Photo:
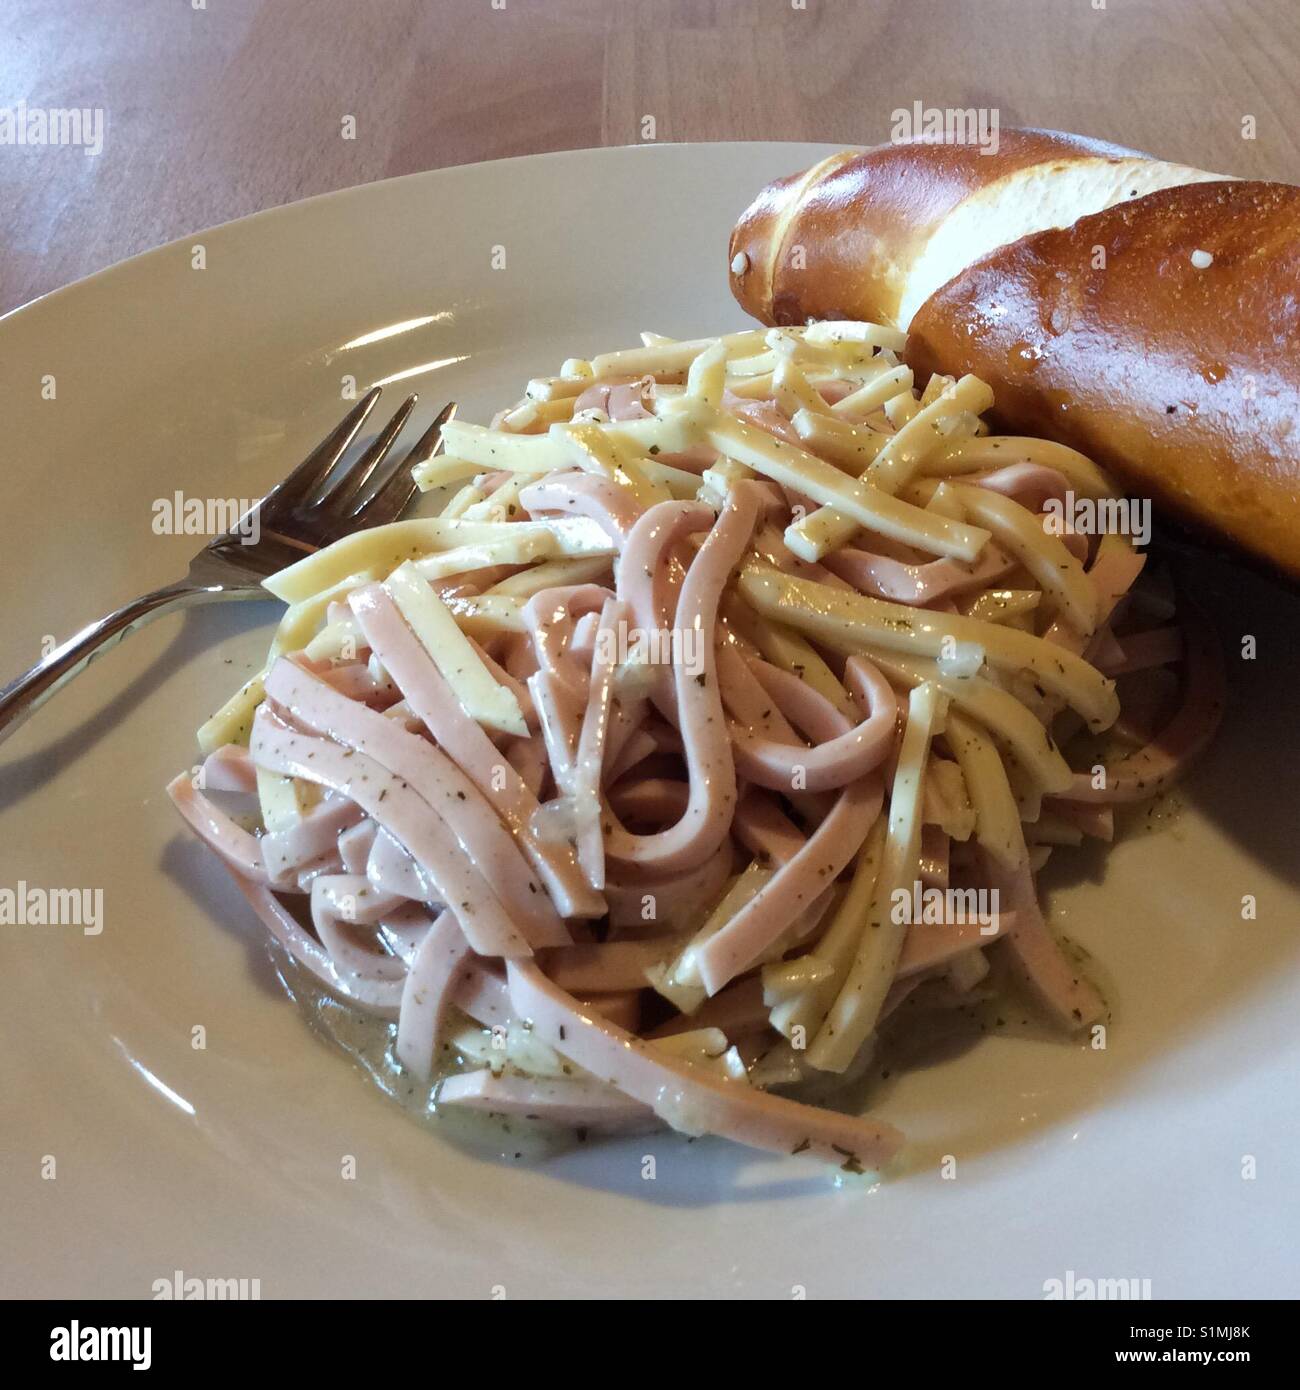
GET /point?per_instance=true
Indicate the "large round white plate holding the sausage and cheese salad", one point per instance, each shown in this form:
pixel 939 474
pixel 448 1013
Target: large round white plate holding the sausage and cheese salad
pixel 226 1163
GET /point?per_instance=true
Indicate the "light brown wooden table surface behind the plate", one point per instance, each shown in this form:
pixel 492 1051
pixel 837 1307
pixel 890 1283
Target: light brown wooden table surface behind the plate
pixel 215 109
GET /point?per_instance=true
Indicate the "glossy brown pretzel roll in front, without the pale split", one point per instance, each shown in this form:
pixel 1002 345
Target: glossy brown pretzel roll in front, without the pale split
pixel 1163 340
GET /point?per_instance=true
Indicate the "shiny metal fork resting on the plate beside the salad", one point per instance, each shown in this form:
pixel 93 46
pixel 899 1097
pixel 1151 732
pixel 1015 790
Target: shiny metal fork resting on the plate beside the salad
pixel 298 516
